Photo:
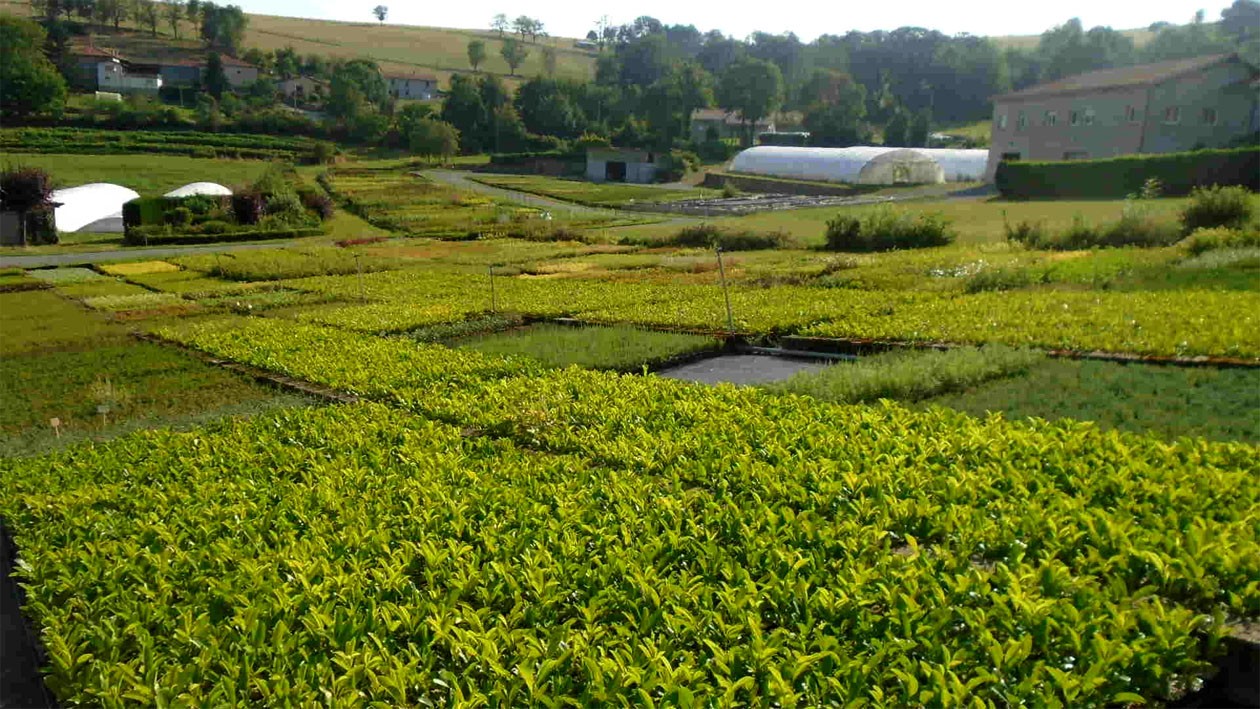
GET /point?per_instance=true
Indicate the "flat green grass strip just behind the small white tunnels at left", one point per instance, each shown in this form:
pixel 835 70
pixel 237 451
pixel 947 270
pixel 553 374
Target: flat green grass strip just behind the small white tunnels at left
pixel 147 174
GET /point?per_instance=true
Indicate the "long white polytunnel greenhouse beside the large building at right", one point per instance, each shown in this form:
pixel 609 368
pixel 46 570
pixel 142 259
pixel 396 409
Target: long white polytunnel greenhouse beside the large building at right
pixel 864 166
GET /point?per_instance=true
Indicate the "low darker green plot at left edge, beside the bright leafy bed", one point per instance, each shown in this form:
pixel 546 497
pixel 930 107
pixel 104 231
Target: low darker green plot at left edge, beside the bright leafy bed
pixel 60 361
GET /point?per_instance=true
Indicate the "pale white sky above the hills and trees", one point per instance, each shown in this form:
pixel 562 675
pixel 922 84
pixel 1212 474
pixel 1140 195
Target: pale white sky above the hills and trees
pixel 740 18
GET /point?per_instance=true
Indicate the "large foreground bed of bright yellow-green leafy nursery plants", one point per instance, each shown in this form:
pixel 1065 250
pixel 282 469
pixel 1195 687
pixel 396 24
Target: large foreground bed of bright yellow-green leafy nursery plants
pixel 502 531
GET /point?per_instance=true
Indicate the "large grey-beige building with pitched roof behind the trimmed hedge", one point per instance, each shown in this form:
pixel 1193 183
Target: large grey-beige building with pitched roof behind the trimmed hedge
pixel 1164 108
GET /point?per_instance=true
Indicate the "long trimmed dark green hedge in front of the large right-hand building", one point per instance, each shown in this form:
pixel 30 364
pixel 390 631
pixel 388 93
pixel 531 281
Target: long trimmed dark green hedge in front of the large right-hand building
pixel 1179 174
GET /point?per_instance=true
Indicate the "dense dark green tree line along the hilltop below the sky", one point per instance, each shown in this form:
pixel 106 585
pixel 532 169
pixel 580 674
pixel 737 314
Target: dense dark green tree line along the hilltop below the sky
pixel 651 77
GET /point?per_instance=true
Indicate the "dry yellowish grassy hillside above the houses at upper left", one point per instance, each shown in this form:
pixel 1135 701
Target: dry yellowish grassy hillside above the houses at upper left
pixel 398 48
